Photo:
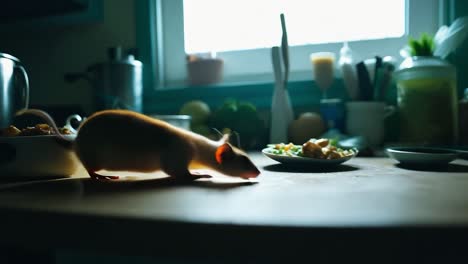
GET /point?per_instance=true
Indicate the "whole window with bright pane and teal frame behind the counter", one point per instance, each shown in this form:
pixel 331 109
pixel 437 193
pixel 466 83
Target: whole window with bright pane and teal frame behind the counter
pixel 242 31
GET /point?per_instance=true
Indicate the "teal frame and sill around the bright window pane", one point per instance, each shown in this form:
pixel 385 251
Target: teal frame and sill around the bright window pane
pixel 172 69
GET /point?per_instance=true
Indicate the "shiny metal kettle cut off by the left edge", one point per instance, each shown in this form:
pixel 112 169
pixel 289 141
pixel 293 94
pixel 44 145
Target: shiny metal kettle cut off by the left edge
pixel 14 89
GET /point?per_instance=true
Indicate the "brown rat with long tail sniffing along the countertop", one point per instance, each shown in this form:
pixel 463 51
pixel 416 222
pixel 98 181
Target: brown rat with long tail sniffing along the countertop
pixel 123 140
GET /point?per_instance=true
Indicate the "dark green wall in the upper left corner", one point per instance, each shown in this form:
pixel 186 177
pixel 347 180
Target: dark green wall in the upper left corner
pixel 49 50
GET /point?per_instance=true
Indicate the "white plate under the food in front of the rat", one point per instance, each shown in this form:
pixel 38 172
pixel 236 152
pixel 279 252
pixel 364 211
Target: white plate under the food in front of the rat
pixel 306 161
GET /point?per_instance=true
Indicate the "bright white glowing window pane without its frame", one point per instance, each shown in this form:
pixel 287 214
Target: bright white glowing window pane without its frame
pixel 227 25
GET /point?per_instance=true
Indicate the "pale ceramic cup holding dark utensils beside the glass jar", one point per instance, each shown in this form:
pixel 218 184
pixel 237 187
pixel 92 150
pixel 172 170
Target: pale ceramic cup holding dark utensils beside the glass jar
pixel 366 119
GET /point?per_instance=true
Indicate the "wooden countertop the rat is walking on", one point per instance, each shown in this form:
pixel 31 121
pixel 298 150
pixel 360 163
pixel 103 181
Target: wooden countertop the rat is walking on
pixel 286 211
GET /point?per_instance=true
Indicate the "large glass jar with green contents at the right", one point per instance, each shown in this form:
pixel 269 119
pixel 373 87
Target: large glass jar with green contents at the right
pixel 427 101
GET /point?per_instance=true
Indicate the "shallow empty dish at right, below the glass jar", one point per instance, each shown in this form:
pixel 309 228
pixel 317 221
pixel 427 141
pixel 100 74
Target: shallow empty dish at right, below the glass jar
pixel 422 155
